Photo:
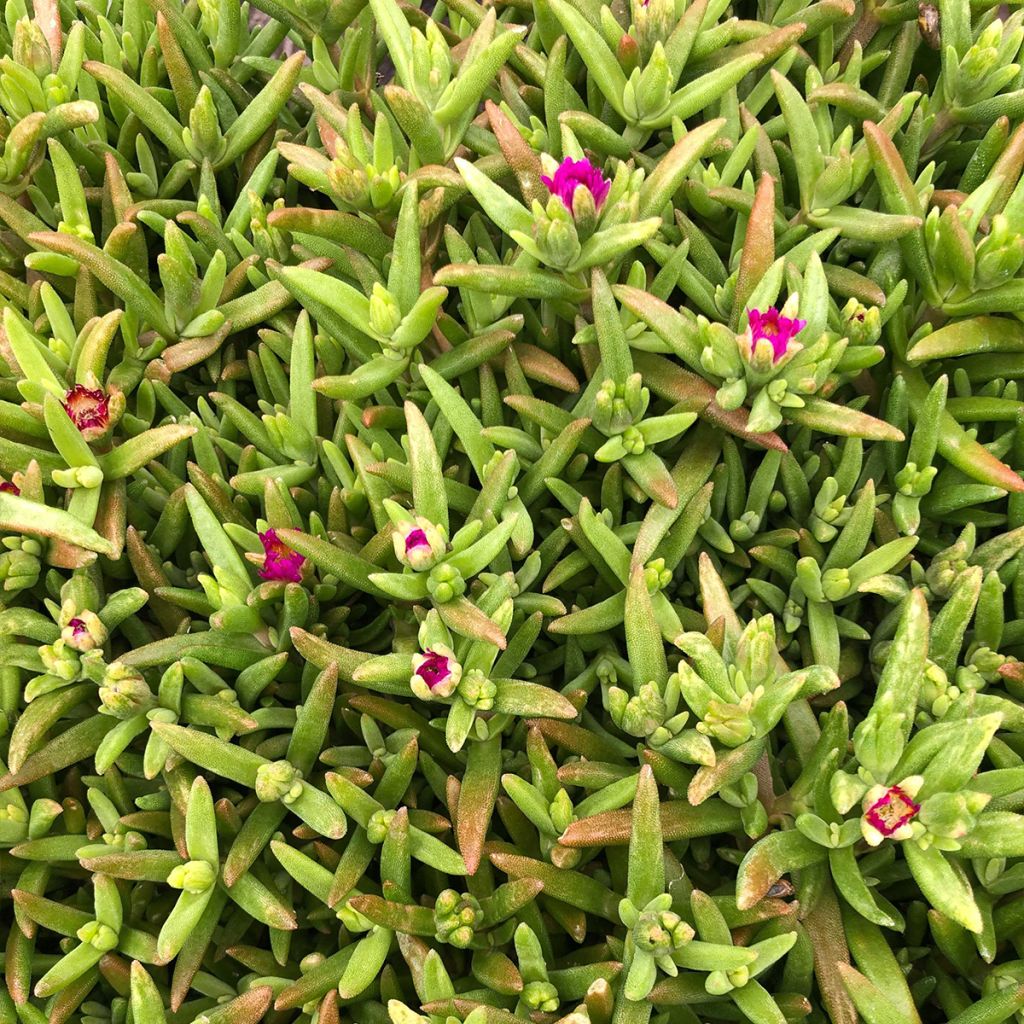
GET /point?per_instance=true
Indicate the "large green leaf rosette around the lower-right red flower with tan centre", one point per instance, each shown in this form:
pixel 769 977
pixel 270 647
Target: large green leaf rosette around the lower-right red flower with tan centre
pixel 918 790
